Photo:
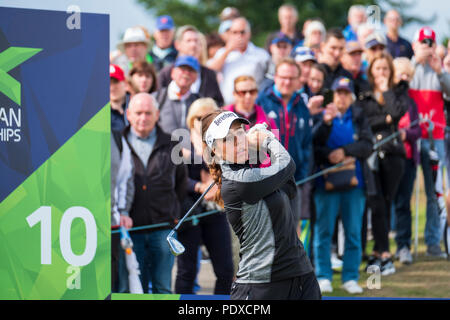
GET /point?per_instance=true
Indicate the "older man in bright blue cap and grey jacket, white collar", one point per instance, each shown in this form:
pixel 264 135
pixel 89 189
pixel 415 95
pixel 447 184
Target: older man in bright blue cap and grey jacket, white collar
pixel 175 100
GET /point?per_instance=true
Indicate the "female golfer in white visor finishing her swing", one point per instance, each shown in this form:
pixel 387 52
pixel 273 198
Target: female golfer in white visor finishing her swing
pixel 273 263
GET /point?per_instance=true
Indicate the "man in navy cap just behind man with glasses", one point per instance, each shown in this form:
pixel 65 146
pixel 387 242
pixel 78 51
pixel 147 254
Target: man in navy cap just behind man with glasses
pixel 280 47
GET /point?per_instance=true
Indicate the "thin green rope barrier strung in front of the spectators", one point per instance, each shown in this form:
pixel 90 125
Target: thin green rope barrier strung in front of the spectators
pixel 196 217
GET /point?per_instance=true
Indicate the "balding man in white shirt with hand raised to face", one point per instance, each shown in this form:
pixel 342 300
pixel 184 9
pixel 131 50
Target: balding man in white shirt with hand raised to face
pixel 239 57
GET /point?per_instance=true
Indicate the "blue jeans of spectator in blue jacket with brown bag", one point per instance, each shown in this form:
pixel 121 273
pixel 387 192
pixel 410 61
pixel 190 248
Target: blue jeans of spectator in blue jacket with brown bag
pixel 328 205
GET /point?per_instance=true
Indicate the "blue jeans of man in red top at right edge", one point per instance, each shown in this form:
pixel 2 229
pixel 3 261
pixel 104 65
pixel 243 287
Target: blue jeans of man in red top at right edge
pixel 432 233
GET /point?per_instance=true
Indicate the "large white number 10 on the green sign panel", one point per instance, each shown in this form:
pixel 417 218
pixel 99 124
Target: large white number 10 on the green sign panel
pixel 43 215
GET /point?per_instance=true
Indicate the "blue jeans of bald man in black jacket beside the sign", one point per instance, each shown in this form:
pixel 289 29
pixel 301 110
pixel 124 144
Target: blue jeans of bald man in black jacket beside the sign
pixel 155 260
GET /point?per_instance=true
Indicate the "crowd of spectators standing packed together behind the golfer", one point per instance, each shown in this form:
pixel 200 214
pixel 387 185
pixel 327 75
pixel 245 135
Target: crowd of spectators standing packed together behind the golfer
pixel 329 95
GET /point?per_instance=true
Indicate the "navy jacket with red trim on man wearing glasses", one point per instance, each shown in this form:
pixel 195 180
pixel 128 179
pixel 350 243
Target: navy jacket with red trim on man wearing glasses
pixel 297 136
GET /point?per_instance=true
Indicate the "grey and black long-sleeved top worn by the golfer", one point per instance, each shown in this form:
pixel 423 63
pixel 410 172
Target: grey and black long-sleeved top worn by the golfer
pixel 258 208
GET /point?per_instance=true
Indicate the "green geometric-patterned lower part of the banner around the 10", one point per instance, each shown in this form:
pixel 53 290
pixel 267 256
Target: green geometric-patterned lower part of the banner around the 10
pixel 76 175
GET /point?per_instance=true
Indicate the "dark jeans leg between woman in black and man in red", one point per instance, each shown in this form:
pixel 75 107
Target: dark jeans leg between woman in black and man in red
pixel 402 205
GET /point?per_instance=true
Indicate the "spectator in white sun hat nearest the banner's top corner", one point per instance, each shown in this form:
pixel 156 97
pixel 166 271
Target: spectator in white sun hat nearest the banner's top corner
pixel 134 48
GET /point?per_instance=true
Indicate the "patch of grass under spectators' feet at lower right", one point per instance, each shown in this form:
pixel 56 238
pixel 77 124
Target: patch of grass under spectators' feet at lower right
pixel 425 278
